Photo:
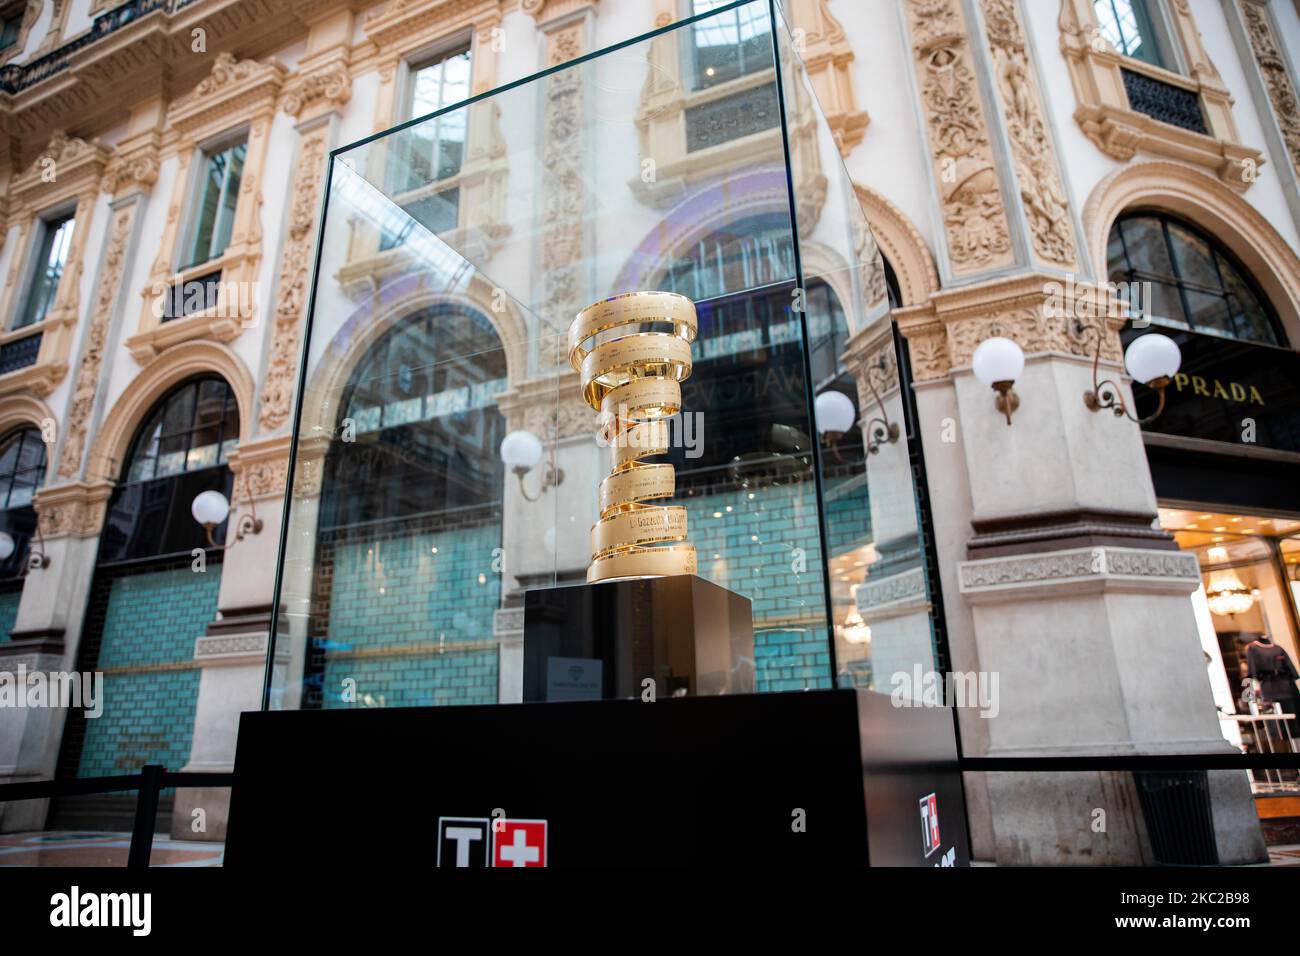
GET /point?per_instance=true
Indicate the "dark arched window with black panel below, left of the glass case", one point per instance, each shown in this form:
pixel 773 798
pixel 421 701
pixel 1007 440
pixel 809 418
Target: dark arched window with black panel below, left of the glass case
pixel 180 451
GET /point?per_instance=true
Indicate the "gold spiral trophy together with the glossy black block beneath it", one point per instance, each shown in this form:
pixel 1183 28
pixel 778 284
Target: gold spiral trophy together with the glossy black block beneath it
pixel 644 622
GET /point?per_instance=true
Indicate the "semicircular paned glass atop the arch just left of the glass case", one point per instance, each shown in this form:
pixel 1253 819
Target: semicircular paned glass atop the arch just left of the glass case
pixel 196 427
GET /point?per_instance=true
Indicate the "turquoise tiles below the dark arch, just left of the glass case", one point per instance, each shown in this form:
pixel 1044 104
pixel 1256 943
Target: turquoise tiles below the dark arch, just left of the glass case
pixel 153 621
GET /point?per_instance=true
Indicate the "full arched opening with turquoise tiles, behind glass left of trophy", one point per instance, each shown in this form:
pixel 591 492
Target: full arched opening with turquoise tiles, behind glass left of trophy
pixel 411 517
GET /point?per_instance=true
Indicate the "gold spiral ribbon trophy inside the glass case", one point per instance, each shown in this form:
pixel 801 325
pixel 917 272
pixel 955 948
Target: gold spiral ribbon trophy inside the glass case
pixel 632 353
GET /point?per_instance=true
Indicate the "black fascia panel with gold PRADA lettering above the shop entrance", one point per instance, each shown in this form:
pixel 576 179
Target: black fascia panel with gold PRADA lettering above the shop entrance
pixel 1230 392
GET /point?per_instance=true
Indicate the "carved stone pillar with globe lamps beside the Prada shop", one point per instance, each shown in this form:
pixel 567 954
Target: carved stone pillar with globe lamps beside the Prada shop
pixel 1056 581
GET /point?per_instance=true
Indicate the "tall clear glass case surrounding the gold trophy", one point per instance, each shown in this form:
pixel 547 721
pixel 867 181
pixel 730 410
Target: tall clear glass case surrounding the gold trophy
pixel 454 254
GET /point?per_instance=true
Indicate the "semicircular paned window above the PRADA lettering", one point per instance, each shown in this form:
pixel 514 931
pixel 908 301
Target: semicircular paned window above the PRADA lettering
pixel 1195 283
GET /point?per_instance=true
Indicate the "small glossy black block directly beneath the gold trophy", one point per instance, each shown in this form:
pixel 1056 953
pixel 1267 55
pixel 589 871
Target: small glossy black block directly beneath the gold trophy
pixel 593 642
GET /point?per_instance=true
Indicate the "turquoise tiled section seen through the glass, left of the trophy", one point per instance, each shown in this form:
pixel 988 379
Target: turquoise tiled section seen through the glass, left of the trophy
pixel 437 590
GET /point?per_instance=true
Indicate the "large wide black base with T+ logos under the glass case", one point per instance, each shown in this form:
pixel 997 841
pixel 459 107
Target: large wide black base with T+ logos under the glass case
pixel 801 780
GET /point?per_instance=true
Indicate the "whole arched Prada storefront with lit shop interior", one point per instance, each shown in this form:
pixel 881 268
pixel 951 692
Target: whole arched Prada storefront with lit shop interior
pixel 1225 461
